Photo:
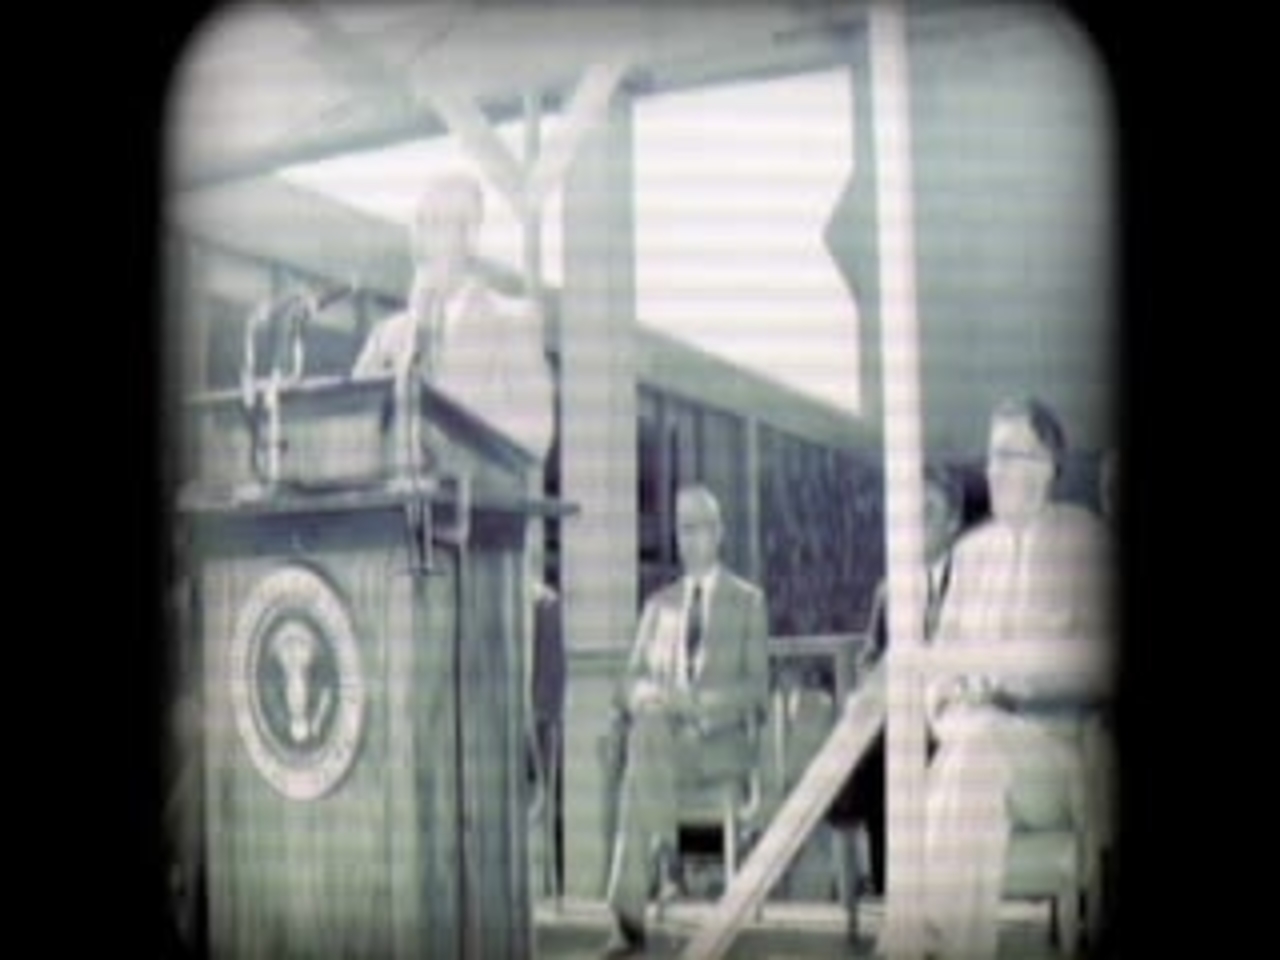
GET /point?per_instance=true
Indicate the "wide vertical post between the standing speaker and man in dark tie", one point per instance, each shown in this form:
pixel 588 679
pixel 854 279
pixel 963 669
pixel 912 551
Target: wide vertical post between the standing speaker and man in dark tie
pixel 598 463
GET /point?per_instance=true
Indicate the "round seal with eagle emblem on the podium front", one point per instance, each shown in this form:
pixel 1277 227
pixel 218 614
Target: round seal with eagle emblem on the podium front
pixel 296 687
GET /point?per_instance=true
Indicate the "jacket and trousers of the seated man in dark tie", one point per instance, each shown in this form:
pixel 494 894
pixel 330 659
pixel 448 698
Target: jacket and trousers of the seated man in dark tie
pixel 665 751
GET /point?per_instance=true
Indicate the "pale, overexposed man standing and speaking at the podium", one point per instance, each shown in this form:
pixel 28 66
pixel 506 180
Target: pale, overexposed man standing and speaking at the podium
pixel 478 348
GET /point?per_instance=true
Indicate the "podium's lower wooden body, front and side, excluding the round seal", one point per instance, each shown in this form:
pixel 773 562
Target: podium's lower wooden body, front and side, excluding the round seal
pixel 380 867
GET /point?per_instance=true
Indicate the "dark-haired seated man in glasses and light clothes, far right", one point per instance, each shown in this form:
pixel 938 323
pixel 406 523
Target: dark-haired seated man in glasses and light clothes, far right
pixel 1028 584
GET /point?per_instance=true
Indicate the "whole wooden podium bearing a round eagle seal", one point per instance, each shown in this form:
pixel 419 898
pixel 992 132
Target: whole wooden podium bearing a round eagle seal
pixel 364 673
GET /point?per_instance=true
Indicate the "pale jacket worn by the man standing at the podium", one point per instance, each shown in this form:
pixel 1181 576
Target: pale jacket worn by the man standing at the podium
pixel 492 363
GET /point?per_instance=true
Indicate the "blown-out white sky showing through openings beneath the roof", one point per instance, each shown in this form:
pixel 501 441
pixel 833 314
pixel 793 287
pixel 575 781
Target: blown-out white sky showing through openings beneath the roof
pixel 734 189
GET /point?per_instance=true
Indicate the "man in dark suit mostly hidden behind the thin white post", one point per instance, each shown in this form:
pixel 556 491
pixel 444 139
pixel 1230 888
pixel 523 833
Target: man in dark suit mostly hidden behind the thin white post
pixel 862 801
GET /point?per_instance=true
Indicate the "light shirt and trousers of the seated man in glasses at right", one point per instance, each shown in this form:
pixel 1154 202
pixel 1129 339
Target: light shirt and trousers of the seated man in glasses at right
pixel 1013 765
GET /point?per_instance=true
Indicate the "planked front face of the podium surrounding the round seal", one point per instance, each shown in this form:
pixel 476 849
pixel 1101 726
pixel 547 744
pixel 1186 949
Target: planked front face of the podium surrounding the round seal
pixel 291 879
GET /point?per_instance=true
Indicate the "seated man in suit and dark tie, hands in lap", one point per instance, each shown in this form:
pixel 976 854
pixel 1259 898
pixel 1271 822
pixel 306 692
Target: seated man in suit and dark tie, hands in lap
pixel 697 680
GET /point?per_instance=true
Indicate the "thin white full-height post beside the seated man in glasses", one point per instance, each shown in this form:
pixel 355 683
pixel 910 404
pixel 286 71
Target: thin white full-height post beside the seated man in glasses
pixel 904 473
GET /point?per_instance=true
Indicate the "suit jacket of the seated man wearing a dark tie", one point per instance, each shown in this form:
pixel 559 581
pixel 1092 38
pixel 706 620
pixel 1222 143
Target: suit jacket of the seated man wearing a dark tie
pixel 734 682
